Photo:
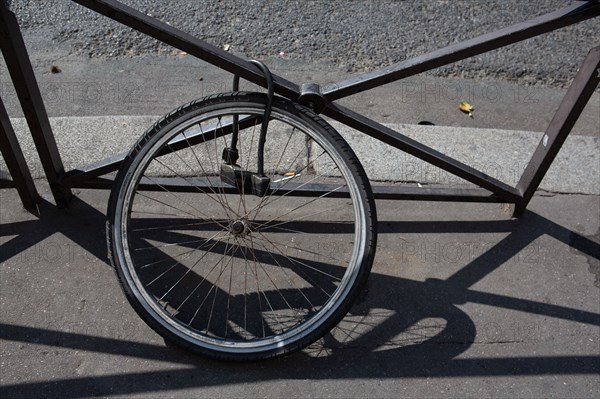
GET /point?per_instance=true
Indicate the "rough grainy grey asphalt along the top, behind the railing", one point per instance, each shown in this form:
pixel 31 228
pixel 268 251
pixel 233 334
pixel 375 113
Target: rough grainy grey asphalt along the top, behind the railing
pixel 351 35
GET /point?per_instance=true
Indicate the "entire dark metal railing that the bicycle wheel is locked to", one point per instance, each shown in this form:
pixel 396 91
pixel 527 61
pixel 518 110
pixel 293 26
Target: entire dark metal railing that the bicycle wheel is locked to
pixel 322 100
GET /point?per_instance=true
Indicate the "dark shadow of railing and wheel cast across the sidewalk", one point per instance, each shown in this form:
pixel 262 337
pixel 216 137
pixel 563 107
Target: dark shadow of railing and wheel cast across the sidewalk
pixel 400 328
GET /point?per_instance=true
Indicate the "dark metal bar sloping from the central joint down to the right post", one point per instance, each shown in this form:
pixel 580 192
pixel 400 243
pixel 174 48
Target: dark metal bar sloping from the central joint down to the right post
pixel 421 151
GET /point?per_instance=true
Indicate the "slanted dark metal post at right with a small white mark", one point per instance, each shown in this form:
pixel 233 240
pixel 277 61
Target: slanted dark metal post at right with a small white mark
pixel 564 119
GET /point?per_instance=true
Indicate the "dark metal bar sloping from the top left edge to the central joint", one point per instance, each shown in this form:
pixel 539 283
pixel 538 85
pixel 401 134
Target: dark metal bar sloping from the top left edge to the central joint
pixel 188 43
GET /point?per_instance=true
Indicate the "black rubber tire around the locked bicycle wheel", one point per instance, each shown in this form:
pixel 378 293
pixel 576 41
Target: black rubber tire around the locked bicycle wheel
pixel 177 117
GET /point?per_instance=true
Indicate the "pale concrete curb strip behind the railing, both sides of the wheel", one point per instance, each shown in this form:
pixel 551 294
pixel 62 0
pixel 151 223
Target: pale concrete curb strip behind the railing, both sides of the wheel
pixel 502 154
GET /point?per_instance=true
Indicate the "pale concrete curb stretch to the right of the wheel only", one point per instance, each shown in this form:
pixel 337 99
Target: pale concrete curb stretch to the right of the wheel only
pixel 502 154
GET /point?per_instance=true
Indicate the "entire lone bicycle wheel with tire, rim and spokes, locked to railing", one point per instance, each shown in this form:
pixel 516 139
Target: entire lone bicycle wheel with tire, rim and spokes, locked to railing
pixel 222 269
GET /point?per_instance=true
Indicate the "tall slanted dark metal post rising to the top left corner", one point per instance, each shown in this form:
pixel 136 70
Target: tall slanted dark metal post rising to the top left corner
pixel 21 72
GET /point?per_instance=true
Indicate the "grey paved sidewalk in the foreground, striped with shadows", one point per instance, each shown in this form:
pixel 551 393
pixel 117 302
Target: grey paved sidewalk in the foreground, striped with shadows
pixel 463 302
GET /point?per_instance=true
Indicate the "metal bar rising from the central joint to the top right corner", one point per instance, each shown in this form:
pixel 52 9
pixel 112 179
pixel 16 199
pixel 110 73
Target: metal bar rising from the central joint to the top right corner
pixel 575 13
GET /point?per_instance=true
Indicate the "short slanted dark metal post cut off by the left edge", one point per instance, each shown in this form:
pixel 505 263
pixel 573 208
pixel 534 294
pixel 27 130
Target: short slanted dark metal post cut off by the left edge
pixel 15 161
